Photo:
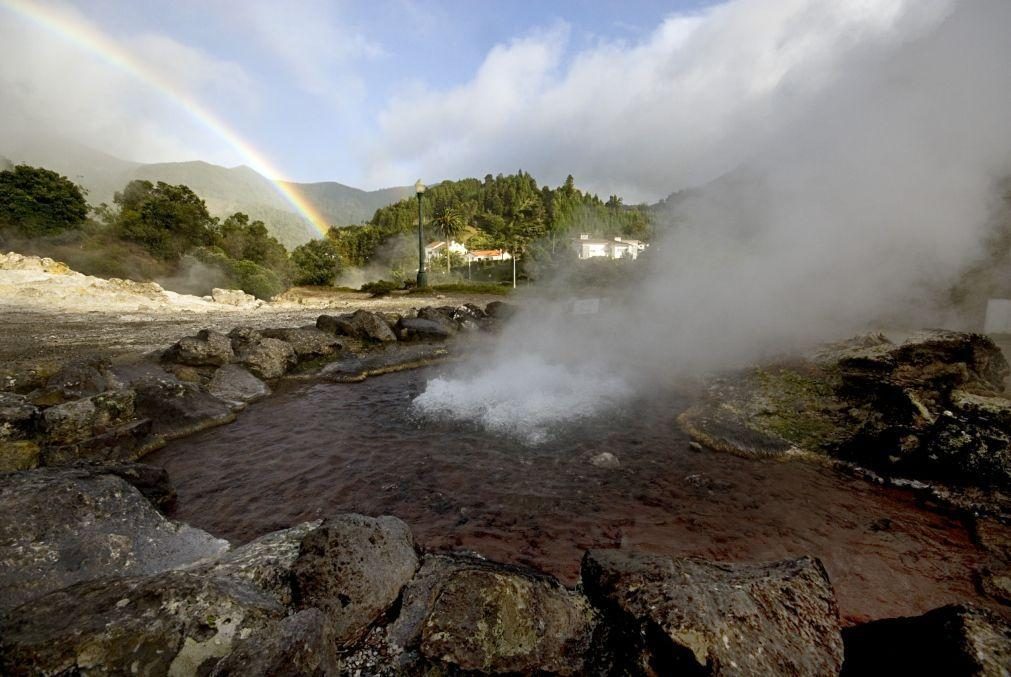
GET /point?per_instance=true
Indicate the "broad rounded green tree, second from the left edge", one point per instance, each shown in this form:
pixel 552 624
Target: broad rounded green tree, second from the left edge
pixel 167 221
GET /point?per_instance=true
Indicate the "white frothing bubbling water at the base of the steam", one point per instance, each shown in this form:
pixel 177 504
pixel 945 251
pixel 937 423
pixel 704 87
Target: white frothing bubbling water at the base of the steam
pixel 524 399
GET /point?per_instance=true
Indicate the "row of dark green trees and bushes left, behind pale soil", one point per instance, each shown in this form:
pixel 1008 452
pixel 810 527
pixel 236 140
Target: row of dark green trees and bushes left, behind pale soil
pixel 153 232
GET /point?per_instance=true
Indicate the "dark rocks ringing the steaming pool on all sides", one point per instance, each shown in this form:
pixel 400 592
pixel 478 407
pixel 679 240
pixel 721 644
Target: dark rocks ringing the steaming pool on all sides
pixel 97 581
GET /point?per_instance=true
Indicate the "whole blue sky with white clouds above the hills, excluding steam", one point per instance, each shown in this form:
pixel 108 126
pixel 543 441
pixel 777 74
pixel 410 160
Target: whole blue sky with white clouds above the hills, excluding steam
pixel 637 98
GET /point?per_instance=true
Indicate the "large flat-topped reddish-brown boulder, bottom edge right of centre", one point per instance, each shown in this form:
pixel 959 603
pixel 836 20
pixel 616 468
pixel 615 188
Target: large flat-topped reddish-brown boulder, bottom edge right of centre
pixel 702 618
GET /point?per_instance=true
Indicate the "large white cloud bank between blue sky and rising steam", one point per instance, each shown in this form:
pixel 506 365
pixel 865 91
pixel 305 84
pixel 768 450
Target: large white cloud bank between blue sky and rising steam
pixel 692 101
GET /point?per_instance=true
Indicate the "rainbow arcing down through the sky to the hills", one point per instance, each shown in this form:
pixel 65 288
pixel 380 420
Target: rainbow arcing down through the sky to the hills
pixel 98 44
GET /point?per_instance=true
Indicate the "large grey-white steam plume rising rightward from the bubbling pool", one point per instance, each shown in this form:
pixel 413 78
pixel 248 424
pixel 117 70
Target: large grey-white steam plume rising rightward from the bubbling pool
pixel 860 214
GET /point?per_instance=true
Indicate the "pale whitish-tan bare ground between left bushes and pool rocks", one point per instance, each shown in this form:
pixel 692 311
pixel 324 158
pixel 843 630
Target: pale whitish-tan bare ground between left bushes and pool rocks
pixel 49 316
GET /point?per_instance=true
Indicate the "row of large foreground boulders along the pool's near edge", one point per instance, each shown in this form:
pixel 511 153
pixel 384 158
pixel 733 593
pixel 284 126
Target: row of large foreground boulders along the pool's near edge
pixel 102 584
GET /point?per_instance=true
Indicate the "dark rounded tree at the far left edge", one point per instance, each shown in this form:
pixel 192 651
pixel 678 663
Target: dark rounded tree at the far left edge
pixel 36 202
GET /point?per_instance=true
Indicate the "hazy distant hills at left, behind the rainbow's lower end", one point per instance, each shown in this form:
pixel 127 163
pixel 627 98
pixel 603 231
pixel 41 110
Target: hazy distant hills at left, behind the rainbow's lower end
pixel 226 190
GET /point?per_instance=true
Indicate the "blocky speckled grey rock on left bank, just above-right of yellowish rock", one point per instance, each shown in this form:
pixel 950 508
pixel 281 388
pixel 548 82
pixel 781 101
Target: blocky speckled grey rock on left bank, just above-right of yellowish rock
pixel 84 419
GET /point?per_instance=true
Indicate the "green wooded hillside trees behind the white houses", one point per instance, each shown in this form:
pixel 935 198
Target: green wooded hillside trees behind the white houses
pixel 509 213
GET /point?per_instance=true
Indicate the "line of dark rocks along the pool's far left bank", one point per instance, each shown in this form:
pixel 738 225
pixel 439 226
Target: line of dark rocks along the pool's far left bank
pixel 90 411
